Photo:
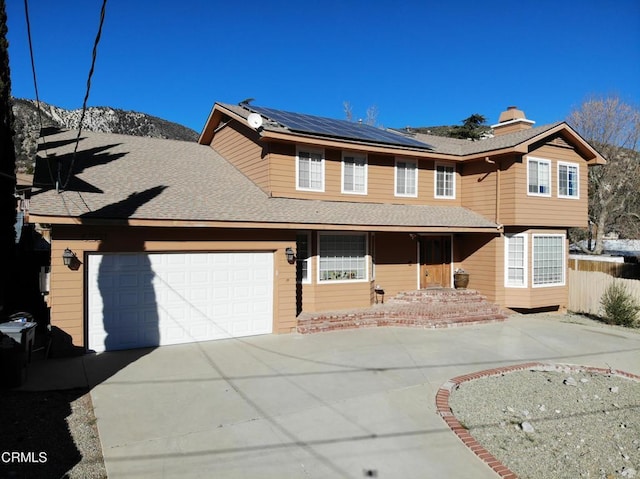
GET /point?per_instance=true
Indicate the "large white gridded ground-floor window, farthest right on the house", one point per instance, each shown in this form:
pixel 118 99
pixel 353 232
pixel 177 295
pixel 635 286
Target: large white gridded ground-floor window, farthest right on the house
pixel 548 257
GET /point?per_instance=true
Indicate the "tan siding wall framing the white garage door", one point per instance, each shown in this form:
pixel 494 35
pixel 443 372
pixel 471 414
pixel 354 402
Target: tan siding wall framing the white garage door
pixel 67 286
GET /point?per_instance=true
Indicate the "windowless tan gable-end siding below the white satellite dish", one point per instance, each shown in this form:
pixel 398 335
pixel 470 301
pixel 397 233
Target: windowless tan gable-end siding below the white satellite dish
pixel 238 144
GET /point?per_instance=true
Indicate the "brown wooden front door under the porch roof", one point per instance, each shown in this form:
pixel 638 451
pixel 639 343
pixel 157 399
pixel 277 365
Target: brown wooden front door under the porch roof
pixel 435 262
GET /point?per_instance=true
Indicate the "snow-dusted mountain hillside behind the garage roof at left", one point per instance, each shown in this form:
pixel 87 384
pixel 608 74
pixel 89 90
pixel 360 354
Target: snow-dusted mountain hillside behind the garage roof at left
pixel 100 119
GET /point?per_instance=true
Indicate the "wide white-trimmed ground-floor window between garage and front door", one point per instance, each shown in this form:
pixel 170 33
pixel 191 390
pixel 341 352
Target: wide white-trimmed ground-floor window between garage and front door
pixel 342 257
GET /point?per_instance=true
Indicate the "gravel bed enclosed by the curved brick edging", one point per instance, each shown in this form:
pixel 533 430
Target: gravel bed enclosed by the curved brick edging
pixel 558 423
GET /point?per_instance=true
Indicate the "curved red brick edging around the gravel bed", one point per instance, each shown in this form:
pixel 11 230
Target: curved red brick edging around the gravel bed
pixel 443 409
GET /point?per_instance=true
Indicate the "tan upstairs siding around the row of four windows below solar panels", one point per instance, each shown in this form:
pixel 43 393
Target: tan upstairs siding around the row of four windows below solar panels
pixel 380 179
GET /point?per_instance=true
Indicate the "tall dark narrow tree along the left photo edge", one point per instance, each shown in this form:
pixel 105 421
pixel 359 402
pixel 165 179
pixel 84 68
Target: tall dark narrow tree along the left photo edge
pixel 7 169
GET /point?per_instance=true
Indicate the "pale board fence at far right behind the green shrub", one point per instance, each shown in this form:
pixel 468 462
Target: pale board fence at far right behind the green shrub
pixel 587 287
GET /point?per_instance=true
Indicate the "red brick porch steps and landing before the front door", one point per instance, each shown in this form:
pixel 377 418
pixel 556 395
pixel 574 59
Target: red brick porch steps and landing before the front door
pixel 426 308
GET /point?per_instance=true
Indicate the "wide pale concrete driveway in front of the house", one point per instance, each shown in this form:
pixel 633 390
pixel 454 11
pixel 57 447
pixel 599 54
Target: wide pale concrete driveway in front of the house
pixel 349 404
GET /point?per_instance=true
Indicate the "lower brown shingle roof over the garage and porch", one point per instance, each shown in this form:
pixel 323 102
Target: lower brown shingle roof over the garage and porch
pixel 128 177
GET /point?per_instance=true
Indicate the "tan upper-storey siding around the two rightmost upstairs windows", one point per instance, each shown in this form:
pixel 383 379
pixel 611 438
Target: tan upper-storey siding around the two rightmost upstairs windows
pixel 519 208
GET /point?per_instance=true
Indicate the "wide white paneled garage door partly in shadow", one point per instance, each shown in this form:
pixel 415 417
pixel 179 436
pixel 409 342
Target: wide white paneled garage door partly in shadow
pixel 155 299
